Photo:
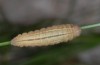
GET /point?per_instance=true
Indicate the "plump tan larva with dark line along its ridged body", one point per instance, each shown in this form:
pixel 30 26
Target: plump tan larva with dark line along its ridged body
pixel 47 36
